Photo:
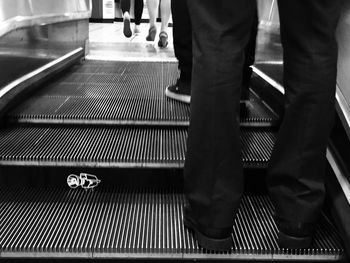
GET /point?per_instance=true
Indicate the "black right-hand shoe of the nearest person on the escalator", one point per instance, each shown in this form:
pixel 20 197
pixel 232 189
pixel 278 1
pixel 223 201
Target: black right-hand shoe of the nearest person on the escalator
pixel 294 235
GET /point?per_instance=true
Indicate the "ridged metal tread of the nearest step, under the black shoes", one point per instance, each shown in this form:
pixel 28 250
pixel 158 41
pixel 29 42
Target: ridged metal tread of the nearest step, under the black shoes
pixel 119 223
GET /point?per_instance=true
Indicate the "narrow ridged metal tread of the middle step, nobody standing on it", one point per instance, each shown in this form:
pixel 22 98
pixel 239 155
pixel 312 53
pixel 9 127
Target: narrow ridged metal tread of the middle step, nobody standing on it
pixel 113 146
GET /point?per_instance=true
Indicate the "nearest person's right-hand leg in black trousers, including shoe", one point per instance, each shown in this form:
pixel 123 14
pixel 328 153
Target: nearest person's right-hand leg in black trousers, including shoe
pixel 297 166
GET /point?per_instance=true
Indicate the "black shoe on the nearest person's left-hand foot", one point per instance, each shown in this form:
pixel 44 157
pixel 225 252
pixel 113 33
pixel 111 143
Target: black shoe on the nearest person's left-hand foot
pixel 211 239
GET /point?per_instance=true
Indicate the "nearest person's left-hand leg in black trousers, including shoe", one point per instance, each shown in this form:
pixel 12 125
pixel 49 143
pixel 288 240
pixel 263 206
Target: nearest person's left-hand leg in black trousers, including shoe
pixel 213 168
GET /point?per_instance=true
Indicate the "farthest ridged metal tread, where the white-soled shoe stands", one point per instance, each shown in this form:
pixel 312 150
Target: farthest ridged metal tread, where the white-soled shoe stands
pixel 118 93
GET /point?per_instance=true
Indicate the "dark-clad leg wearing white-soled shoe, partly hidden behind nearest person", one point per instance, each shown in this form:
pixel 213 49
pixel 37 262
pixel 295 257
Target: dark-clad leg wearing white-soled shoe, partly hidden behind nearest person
pixel 182 35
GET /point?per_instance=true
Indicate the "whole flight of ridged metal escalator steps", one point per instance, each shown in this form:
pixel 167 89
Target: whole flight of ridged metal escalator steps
pixel 107 129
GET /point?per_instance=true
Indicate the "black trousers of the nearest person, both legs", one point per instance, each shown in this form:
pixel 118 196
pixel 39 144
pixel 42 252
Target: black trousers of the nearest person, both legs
pixel 213 168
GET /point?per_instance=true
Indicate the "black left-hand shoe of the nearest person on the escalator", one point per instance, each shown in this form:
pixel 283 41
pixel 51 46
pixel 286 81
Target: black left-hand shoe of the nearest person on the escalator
pixel 215 244
